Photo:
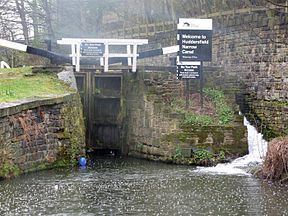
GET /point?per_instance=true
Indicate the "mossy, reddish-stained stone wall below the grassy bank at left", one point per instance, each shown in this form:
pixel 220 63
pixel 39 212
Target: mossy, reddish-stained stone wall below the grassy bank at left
pixel 38 133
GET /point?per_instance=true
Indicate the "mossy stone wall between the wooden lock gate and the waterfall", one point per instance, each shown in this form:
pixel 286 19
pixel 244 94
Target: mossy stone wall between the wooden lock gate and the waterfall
pixel 153 129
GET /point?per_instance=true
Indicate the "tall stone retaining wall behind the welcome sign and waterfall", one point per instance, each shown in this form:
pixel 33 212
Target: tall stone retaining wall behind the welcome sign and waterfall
pixel 250 47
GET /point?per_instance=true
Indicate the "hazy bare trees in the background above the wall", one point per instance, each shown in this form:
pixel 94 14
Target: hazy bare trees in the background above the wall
pixel 36 21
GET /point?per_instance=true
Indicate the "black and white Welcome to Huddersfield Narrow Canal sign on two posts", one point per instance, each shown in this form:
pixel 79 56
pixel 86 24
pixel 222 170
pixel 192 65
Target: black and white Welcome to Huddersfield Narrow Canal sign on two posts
pixel 195 46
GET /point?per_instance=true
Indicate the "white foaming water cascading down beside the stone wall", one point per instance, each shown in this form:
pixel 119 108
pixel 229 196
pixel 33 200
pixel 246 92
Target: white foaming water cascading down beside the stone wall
pixel 257 148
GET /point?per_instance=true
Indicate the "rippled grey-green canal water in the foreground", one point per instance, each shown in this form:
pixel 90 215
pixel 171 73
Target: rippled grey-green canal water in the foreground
pixel 136 187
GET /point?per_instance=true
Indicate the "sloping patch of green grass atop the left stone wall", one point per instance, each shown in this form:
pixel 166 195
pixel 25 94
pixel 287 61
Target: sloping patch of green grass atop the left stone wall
pixel 20 83
